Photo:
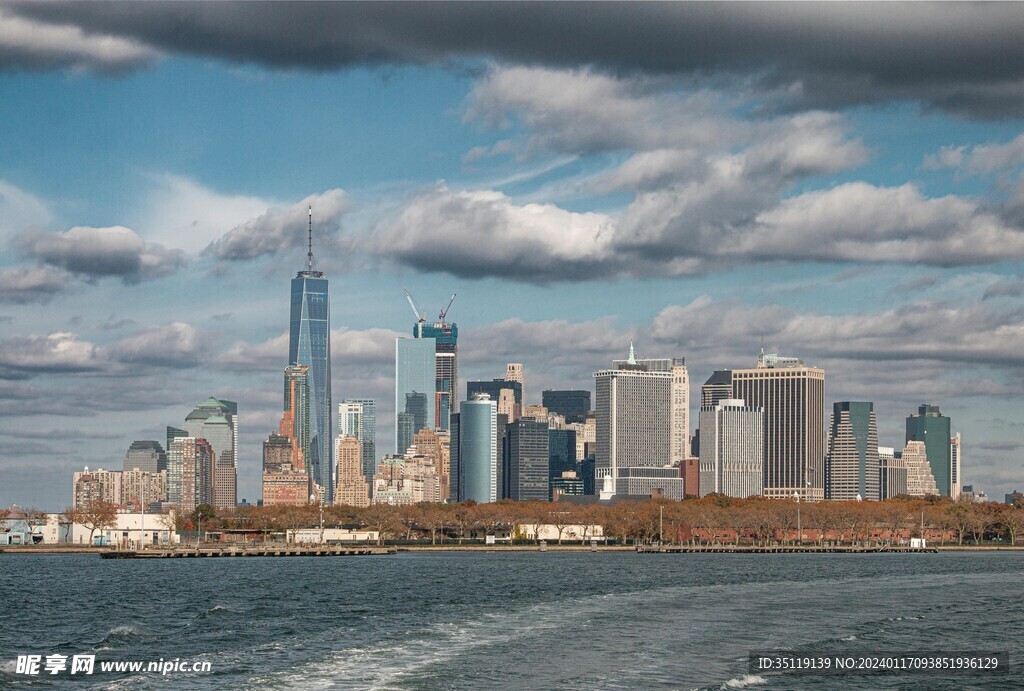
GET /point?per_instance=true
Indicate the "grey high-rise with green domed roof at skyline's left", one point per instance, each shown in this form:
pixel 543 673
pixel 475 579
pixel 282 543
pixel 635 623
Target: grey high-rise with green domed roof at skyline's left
pixel 216 421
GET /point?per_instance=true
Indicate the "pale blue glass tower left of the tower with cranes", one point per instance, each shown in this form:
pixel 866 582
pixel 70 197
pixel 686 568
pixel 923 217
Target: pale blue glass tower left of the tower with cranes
pixel 415 390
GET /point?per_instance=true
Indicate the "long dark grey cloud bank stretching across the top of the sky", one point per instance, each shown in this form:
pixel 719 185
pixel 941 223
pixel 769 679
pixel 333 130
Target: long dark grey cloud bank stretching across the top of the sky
pixel 961 58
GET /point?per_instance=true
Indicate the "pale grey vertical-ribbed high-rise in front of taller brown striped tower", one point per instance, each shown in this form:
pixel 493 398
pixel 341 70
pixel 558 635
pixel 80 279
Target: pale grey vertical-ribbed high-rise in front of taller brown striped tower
pixel 732 450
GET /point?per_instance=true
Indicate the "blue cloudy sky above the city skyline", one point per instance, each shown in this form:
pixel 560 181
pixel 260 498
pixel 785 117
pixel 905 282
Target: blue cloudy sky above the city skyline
pixel 842 183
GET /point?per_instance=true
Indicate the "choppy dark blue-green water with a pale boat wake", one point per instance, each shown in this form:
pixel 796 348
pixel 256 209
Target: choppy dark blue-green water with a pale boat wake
pixel 527 620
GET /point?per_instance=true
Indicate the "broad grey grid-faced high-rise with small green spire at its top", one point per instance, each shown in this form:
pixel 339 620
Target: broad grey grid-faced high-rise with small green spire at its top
pixel 635 416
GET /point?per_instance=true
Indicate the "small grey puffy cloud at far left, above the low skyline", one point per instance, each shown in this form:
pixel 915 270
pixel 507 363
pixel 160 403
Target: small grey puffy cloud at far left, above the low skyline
pixel 97 253
